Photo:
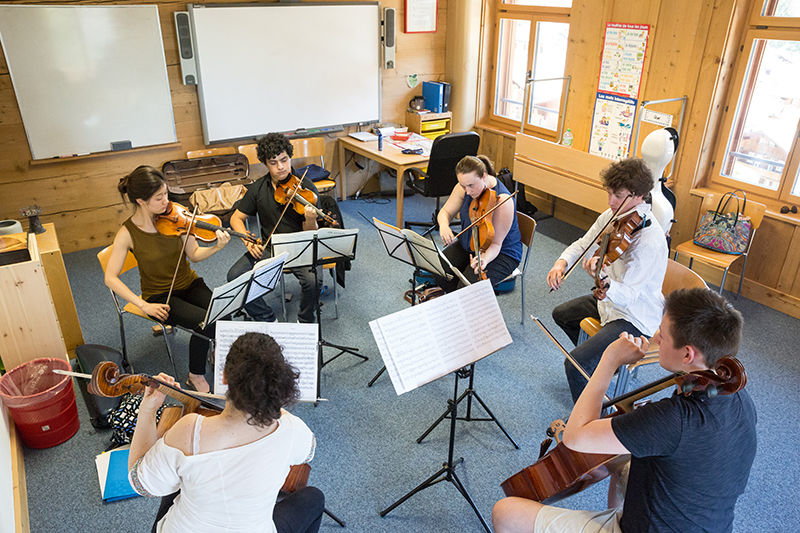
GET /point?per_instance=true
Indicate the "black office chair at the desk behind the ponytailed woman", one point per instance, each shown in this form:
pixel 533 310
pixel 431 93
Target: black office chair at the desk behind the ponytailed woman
pixel 440 178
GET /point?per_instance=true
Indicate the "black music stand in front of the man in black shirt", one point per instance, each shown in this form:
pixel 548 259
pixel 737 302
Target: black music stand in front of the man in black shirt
pixel 312 249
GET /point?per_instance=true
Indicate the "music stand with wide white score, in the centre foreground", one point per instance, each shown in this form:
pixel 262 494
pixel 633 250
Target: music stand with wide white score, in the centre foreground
pixel 414 362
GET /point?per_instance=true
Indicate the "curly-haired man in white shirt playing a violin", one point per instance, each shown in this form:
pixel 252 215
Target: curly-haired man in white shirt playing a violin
pixel 629 297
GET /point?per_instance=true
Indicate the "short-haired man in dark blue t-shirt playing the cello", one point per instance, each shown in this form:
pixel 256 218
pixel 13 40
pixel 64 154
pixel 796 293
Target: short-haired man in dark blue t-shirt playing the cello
pixel 690 455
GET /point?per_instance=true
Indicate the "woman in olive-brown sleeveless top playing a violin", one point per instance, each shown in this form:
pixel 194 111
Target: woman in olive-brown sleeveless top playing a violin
pixel 157 256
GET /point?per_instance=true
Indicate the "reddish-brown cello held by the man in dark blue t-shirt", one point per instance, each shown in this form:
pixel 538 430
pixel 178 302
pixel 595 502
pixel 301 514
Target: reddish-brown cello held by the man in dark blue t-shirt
pixel 562 472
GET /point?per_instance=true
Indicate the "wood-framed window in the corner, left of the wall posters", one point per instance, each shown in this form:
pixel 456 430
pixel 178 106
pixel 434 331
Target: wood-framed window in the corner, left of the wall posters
pixel 531 40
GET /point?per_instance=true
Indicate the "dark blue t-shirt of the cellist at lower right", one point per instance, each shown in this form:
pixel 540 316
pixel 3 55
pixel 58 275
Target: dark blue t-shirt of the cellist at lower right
pixel 691 457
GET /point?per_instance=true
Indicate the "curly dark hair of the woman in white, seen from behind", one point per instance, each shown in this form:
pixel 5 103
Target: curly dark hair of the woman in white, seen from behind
pixel 260 381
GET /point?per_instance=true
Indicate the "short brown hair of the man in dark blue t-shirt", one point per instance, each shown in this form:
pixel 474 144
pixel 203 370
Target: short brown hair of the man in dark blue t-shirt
pixel 704 319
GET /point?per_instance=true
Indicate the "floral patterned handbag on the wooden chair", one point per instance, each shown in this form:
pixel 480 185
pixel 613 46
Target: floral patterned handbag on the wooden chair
pixel 728 233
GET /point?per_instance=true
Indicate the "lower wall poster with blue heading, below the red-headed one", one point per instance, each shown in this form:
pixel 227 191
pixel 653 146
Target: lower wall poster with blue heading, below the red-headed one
pixel 612 126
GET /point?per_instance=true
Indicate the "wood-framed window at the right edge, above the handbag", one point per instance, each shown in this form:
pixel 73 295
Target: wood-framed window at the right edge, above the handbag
pixel 758 150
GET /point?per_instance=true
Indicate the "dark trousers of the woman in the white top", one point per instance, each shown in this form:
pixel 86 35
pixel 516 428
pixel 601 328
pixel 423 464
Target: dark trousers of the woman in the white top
pixel 298 512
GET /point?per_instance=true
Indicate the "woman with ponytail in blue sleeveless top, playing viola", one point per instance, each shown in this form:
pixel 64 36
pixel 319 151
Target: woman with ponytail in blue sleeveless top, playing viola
pixel 475 177
